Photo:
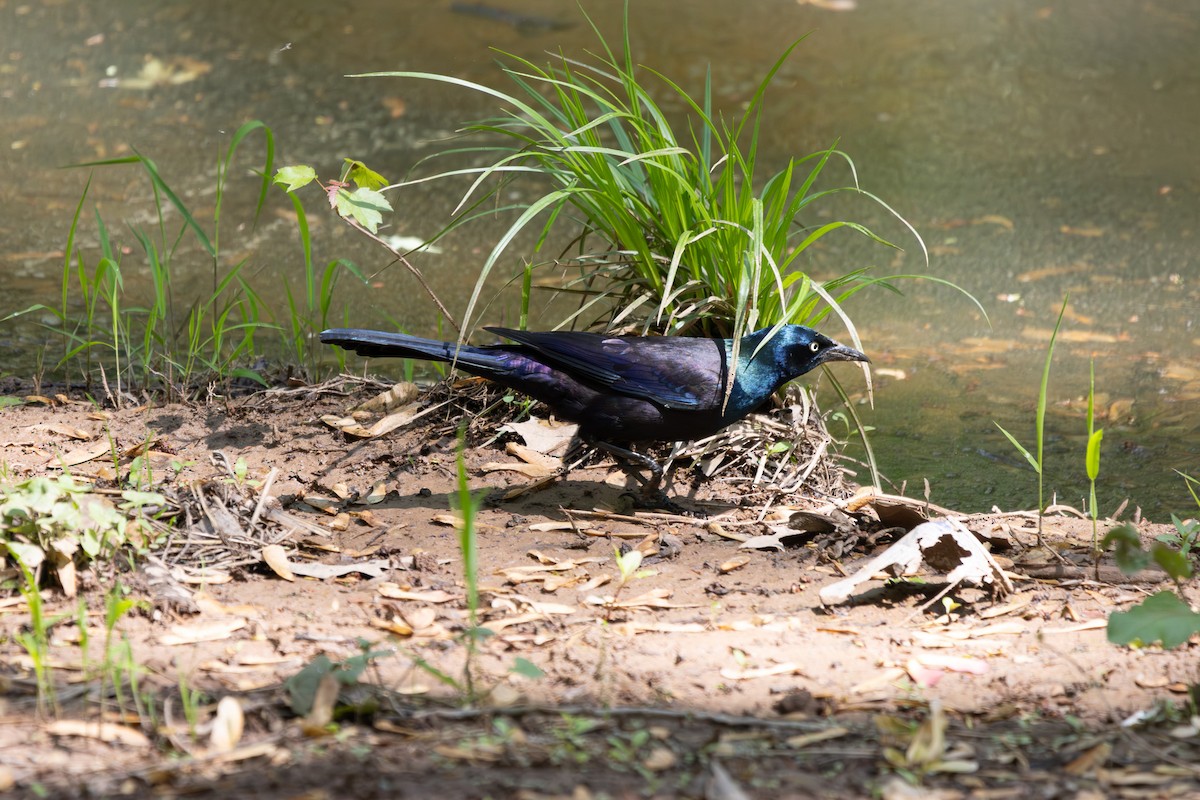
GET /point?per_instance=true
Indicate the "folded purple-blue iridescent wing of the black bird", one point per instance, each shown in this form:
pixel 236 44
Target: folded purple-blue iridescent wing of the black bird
pixel 671 371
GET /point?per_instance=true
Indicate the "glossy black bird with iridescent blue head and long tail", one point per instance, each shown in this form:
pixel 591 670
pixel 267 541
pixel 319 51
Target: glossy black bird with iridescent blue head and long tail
pixel 626 389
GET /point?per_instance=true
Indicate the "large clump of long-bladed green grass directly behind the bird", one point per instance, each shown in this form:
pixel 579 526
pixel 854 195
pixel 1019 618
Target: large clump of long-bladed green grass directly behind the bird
pixel 677 228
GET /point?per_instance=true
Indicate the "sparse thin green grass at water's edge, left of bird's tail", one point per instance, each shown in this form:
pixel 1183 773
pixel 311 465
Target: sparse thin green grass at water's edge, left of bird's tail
pixel 129 338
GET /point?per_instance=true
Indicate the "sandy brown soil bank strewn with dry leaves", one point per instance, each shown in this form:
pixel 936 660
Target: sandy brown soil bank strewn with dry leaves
pixel 715 672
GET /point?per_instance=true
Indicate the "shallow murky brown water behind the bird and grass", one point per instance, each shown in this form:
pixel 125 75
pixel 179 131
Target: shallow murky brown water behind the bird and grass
pixel 1041 149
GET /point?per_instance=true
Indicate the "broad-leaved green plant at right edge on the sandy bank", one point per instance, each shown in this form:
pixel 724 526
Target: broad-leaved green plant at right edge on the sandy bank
pixel 1165 617
